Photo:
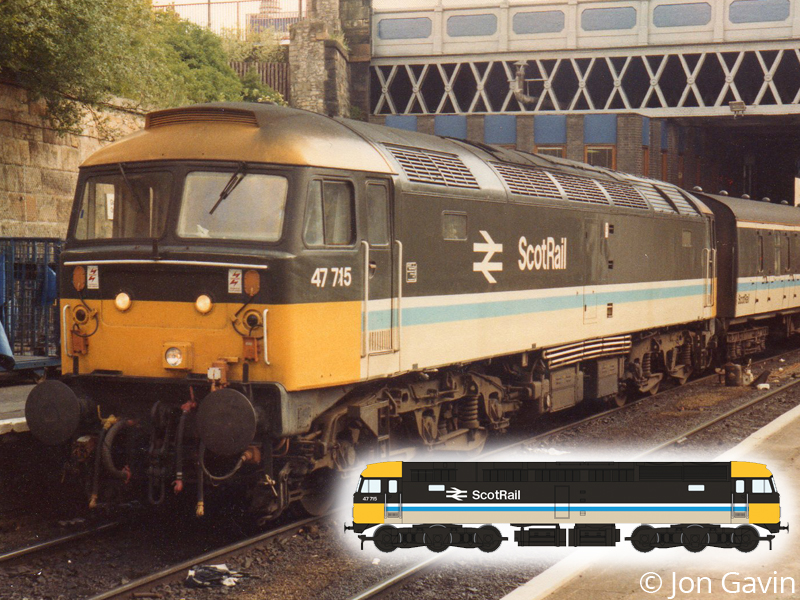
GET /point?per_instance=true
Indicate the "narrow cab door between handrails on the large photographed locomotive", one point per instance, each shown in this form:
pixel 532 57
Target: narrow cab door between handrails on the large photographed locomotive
pixel 380 344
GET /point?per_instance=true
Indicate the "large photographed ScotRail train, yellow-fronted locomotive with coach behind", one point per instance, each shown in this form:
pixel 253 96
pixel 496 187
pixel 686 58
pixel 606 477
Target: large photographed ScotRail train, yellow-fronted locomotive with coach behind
pixel 260 298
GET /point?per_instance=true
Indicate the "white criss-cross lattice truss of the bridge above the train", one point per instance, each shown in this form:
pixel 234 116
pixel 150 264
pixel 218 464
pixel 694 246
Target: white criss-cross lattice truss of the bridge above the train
pixel 679 82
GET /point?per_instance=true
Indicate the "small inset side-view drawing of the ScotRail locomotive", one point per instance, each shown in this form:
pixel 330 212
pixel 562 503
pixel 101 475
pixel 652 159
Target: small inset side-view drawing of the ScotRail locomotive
pixel 714 504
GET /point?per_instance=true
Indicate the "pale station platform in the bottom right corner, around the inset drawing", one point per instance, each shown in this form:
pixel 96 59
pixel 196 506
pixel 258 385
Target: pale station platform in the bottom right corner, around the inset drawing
pixel 622 573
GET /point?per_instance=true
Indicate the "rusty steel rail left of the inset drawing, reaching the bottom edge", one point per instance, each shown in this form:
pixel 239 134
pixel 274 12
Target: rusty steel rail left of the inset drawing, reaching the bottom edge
pixel 175 572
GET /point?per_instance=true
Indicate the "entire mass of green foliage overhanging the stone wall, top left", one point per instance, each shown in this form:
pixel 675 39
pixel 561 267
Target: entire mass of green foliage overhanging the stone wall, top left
pixel 81 53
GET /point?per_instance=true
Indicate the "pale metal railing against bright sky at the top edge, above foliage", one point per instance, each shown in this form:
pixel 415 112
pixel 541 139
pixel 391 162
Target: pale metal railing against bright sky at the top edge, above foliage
pixel 238 15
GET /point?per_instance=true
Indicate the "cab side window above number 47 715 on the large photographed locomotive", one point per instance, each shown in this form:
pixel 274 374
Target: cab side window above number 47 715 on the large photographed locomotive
pixel 330 214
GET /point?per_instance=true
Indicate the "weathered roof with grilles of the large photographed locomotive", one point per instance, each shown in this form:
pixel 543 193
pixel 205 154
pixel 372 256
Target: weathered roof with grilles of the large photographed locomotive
pixel 267 133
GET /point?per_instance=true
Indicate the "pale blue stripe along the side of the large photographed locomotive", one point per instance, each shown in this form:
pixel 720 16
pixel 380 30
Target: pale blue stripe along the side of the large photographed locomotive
pixel 427 315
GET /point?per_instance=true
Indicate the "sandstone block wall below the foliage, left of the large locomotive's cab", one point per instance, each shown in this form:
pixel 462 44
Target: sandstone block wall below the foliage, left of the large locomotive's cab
pixel 39 167
